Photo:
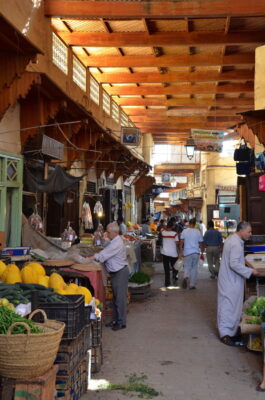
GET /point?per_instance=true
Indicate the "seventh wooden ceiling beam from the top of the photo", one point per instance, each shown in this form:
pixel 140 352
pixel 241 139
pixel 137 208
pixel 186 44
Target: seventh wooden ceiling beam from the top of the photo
pixel 181 112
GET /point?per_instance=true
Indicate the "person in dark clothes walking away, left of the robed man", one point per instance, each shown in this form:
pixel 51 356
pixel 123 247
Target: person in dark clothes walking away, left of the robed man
pixel 213 242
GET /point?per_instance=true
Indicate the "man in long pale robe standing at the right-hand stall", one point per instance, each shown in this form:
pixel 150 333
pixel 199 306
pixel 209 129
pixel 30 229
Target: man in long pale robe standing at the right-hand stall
pixel 231 279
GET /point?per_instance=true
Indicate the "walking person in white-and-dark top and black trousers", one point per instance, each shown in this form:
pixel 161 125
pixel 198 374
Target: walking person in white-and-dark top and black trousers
pixel 169 252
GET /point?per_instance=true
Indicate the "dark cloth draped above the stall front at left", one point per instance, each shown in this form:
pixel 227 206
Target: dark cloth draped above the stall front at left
pixel 58 183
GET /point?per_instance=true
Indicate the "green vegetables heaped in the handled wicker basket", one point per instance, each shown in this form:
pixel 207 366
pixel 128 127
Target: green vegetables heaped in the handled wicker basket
pixel 8 317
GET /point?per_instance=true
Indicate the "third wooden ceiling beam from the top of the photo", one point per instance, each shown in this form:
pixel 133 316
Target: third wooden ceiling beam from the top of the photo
pixel 167 60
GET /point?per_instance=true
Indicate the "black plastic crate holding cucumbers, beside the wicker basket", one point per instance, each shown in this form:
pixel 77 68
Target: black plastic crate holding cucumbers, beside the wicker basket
pixel 73 314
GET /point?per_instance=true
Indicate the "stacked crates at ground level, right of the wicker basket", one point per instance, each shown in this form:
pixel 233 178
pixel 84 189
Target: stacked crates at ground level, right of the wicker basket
pixel 73 359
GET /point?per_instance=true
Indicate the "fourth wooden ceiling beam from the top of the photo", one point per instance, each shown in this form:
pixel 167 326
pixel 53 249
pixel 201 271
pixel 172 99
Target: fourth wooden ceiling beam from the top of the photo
pixel 153 77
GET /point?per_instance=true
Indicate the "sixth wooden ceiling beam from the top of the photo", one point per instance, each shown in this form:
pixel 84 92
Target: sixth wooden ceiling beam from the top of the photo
pixel 229 102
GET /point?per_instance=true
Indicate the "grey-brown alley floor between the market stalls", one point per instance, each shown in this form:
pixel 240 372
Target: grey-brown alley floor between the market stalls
pixel 172 339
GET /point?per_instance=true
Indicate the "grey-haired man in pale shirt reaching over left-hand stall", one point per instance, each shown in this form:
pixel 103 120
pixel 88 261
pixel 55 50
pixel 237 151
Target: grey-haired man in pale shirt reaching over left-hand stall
pixel 114 257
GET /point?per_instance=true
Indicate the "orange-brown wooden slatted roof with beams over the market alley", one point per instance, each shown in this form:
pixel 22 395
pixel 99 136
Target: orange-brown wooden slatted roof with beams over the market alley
pixel 170 65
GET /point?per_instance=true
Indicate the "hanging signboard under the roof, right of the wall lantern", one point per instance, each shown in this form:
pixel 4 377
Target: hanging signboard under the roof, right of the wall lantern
pixel 208 140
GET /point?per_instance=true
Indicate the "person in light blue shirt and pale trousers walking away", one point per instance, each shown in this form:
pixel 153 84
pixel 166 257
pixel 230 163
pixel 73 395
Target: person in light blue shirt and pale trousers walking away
pixel 193 246
